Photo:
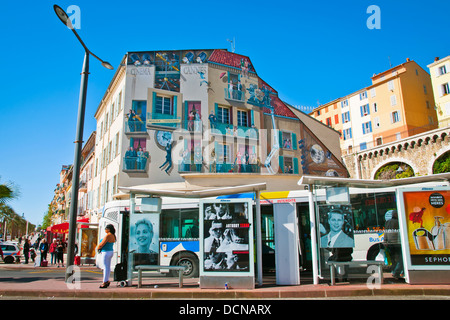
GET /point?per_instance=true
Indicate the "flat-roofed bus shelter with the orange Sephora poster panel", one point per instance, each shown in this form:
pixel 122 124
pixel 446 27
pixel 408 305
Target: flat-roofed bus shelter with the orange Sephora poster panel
pixel 338 199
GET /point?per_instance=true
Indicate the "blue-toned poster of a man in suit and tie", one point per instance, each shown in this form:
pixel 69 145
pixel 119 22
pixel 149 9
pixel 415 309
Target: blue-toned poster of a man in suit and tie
pixel 336 226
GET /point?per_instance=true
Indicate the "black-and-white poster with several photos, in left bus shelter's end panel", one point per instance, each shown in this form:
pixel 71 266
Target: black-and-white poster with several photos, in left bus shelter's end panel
pixel 226 236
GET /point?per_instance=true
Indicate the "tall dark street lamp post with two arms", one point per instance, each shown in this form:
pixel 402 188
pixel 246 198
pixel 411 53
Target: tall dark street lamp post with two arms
pixel 62 15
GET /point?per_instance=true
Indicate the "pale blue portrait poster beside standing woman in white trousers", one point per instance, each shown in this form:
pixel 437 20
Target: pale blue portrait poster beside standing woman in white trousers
pixel 144 239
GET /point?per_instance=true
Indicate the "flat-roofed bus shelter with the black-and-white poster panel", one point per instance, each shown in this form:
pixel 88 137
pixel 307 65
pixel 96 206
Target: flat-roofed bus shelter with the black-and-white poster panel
pixel 183 190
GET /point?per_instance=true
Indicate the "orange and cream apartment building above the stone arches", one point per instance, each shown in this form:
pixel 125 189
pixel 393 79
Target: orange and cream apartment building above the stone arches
pixel 399 103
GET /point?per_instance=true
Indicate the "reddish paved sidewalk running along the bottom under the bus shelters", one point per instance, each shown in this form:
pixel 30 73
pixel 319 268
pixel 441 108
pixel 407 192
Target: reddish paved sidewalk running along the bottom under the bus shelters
pixel 167 288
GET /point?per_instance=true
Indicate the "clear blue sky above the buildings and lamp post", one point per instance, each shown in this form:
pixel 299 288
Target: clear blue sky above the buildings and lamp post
pixel 310 51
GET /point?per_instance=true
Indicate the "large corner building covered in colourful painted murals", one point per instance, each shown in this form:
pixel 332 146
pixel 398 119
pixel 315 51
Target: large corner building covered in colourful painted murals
pixel 168 116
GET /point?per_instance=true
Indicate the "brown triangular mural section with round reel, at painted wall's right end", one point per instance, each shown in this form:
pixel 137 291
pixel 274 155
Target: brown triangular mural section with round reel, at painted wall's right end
pixel 316 159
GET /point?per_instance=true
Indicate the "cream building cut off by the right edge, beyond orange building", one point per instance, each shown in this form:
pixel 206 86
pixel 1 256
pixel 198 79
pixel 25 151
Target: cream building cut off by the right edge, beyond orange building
pixel 440 79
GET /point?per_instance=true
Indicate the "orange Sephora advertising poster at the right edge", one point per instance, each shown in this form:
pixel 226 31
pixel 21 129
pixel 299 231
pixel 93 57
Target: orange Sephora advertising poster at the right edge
pixel 426 218
